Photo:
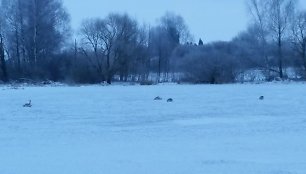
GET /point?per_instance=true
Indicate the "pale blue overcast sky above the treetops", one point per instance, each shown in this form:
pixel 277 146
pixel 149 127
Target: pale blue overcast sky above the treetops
pixel 210 20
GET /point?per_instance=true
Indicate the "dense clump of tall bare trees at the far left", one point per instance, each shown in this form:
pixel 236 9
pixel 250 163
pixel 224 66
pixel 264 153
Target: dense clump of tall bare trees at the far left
pixel 36 30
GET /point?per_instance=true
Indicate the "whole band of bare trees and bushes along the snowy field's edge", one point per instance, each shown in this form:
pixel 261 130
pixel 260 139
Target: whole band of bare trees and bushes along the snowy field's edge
pixel 36 43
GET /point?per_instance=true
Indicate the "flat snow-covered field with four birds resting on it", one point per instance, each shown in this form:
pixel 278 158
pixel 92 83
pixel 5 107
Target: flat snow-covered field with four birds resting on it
pixel 121 130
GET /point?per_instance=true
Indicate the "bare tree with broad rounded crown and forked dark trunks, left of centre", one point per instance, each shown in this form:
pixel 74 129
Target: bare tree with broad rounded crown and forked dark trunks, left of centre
pixel 114 42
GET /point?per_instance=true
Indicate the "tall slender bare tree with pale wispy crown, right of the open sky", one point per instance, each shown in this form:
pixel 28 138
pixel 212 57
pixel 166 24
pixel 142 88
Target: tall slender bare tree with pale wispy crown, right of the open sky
pixel 273 20
